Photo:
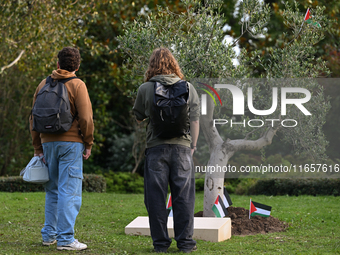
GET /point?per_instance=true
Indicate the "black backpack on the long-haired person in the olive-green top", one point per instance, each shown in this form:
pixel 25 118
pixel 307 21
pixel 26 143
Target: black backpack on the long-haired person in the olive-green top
pixel 170 111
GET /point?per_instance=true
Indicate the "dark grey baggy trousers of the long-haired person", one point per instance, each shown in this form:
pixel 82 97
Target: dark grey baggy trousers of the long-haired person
pixel 170 163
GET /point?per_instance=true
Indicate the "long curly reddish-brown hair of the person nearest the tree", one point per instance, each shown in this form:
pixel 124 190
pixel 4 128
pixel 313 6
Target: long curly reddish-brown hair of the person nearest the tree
pixel 162 62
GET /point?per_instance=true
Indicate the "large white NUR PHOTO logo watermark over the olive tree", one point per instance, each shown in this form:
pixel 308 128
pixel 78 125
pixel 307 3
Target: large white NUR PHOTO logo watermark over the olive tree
pixel 302 96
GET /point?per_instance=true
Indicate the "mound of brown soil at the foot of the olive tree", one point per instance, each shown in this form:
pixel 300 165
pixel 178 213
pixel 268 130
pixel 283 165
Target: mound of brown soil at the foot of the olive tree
pixel 242 225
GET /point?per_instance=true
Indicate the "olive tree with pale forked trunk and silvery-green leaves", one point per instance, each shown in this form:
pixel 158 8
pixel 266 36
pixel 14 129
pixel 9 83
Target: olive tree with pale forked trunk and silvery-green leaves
pixel 197 41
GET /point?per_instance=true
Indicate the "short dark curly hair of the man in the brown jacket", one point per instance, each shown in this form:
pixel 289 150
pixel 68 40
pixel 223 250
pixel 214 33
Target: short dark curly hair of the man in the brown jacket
pixel 69 59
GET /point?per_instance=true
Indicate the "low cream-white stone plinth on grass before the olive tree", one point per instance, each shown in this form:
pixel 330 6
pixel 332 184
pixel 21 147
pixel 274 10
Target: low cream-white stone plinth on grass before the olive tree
pixel 205 228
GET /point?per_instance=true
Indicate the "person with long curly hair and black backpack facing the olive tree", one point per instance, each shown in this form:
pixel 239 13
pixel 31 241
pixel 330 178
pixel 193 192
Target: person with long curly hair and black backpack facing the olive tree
pixel 172 134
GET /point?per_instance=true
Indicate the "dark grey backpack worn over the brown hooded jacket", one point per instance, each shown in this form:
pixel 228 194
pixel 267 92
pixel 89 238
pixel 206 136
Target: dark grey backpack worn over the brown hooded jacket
pixel 51 111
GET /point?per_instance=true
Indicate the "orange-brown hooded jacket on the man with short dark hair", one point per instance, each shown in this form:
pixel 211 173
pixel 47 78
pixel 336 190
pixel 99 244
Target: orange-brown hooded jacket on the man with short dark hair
pixel 82 128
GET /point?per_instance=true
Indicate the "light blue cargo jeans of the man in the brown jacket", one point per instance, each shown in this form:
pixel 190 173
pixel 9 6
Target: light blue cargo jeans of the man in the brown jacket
pixel 63 190
